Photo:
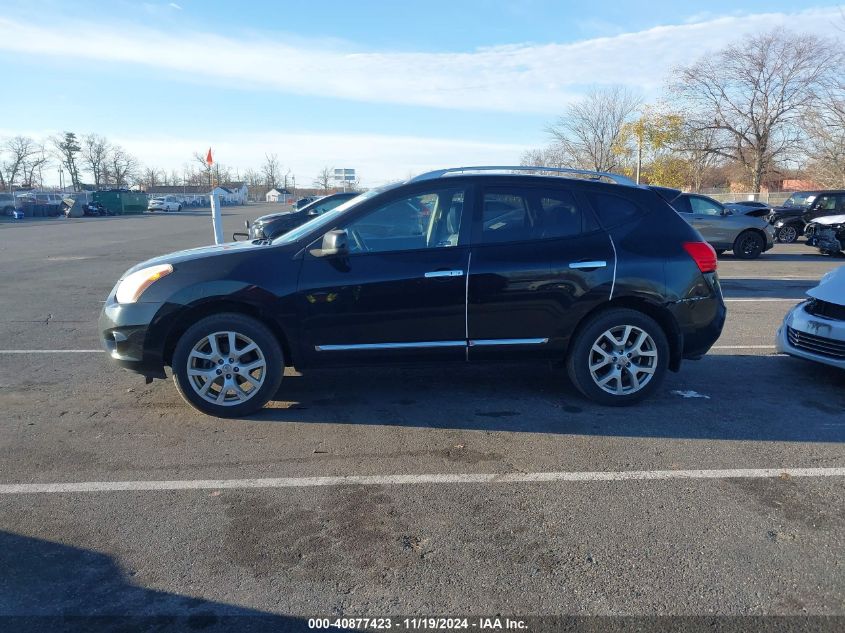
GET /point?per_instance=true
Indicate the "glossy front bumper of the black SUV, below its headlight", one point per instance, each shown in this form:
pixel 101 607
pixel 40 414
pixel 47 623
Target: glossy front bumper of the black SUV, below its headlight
pixel 124 334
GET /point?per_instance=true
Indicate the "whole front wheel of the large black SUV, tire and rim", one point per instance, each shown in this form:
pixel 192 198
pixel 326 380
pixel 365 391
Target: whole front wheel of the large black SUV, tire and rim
pixel 228 365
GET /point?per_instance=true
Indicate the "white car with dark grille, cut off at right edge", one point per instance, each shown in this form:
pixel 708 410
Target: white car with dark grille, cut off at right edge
pixel 815 329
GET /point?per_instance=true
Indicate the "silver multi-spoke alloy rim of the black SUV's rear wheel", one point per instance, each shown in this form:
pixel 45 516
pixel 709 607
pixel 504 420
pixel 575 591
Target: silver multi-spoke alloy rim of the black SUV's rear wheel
pixel 623 360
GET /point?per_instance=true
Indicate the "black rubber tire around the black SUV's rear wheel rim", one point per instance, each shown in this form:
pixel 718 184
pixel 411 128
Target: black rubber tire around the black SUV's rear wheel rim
pixel 581 354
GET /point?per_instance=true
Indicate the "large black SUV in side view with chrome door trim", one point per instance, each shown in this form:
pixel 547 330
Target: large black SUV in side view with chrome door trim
pixel 460 265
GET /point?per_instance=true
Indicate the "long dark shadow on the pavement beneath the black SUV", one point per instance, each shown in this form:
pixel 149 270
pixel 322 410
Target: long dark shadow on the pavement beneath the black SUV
pixel 721 397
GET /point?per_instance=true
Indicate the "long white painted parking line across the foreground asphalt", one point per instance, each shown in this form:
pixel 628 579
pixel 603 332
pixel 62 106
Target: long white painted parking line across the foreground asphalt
pixel 401 480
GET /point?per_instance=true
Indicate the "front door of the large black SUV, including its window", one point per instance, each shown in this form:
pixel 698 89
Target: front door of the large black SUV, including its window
pixel 400 292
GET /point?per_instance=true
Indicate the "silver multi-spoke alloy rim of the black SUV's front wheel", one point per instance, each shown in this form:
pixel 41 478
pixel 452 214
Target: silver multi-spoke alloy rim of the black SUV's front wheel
pixel 226 368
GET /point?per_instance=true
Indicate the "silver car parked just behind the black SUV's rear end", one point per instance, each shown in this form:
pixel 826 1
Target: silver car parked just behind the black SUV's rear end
pixel 747 236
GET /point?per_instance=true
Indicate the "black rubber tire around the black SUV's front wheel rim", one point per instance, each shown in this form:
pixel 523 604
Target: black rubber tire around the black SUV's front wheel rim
pixel 247 327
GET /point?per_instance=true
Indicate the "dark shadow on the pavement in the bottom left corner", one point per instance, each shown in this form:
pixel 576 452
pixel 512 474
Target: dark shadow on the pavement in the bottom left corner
pixel 47 586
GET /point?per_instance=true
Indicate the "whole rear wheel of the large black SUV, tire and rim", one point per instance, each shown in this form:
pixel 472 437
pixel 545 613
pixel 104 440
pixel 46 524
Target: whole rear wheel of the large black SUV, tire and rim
pixel 619 358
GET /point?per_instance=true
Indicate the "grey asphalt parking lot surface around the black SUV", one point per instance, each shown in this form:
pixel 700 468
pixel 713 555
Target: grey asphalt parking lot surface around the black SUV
pixel 721 516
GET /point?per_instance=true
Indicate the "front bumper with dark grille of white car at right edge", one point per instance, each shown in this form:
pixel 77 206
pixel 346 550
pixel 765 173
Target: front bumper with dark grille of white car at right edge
pixel 812 337
